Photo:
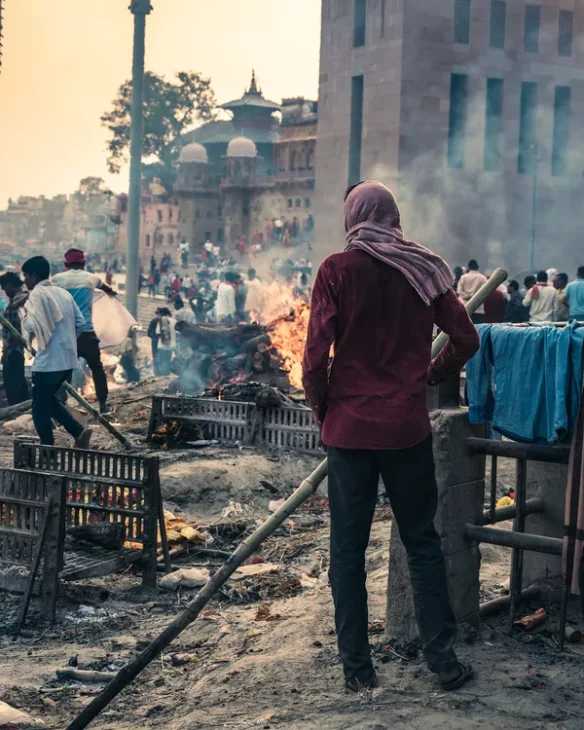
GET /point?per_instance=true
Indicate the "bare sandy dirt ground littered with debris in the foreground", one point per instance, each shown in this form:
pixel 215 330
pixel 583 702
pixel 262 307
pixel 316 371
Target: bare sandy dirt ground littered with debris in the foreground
pixel 263 655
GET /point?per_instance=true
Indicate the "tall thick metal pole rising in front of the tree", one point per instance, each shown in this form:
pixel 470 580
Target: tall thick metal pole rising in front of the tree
pixel 140 9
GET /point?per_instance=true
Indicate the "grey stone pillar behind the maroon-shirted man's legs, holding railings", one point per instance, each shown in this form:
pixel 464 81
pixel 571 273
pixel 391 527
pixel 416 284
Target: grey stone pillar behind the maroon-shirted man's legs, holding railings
pixel 460 478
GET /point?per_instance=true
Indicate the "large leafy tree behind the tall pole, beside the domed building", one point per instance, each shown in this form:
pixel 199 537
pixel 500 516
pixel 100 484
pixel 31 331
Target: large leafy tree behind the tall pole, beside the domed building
pixel 170 110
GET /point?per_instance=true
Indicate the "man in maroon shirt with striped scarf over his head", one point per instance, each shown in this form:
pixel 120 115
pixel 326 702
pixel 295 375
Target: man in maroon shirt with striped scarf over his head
pixel 377 303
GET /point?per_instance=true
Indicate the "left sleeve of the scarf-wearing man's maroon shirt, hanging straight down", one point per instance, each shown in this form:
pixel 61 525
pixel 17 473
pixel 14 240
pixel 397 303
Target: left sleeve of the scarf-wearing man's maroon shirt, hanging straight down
pixel 322 328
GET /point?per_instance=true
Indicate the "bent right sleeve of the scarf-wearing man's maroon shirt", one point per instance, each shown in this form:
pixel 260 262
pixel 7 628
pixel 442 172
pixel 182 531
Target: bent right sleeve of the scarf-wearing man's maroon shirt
pixel 451 317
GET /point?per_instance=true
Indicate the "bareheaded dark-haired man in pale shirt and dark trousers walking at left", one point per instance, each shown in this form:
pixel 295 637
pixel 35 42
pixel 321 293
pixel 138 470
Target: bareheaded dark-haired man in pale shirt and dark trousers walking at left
pixel 53 318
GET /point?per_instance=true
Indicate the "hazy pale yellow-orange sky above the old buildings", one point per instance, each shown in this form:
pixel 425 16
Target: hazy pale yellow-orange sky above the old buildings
pixel 64 60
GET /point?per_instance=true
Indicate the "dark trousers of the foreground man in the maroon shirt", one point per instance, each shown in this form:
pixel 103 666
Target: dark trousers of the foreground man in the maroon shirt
pixel 410 483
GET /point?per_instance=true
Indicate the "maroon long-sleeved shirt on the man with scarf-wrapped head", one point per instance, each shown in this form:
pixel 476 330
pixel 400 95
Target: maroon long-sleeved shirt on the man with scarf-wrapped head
pixel 375 394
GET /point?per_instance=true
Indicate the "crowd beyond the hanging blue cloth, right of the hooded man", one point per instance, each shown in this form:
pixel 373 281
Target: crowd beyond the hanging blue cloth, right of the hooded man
pixel 547 296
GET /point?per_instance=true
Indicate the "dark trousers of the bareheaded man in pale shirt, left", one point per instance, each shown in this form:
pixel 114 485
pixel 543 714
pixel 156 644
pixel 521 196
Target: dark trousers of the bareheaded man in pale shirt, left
pixel 46 406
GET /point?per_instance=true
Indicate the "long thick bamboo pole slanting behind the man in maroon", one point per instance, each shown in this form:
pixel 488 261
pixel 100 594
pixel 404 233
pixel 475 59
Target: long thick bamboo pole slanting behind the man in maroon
pixel 308 487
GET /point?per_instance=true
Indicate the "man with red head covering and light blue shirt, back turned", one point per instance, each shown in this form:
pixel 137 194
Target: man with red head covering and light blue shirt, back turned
pixel 81 285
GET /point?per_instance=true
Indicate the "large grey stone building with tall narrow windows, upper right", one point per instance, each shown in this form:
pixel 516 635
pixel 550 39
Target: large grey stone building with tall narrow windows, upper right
pixel 471 110
